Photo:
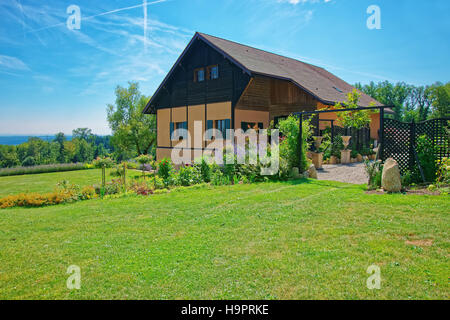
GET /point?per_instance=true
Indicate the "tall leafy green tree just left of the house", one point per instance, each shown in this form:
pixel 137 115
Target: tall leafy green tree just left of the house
pixel 133 131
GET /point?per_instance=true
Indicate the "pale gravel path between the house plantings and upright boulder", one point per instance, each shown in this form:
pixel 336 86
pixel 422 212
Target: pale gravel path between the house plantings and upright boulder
pixel 349 173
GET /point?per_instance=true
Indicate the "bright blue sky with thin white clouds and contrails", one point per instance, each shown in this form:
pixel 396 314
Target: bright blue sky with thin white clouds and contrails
pixel 55 79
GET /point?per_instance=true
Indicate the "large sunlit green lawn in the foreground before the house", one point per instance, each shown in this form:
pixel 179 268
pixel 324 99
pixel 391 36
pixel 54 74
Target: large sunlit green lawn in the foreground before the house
pixel 295 240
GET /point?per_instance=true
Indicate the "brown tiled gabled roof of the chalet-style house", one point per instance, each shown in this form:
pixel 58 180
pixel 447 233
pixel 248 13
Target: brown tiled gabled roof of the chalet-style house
pixel 320 83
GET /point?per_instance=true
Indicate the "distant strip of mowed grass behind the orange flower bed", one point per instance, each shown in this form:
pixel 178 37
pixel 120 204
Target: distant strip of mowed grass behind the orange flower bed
pixel 47 182
